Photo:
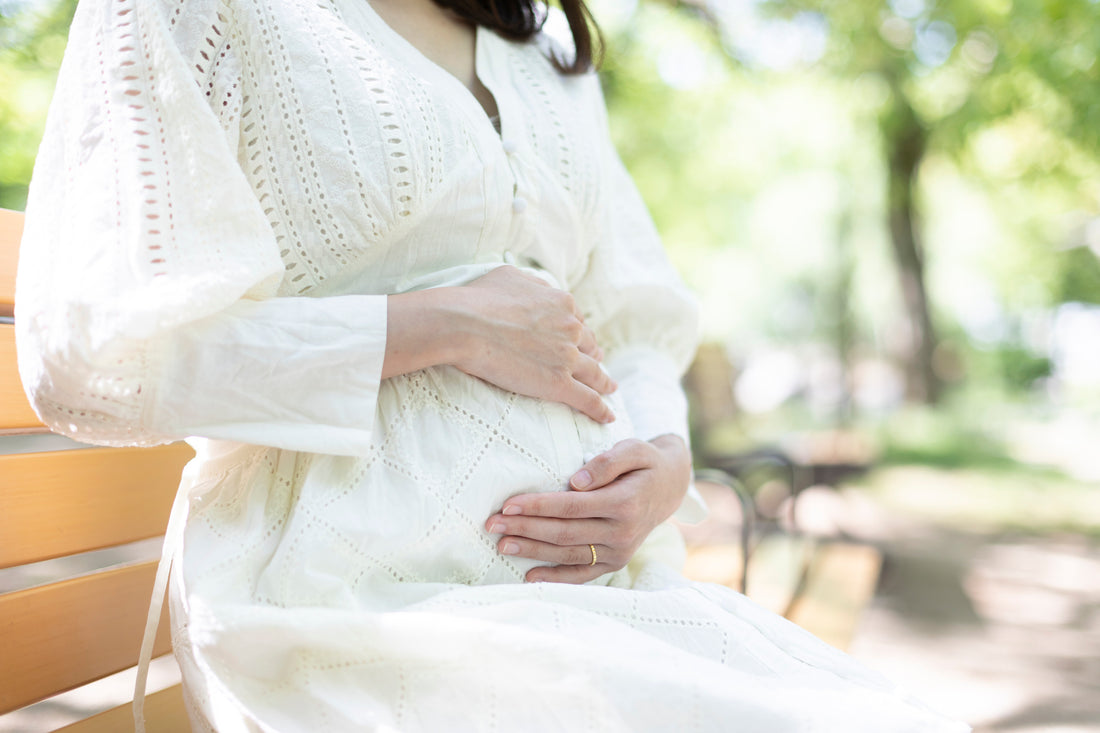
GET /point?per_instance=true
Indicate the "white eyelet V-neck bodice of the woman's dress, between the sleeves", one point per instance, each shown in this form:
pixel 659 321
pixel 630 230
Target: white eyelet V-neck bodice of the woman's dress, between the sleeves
pixel 524 194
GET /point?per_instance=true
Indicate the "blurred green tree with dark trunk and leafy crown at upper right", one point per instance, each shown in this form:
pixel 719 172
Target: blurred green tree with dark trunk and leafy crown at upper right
pixel 951 71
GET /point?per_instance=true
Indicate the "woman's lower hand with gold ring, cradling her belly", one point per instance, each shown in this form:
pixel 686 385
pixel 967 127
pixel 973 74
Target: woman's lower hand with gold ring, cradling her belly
pixel 619 498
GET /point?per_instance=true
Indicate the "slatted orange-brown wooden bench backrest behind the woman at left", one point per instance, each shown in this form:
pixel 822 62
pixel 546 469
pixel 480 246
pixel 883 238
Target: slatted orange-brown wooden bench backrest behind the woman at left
pixel 64 634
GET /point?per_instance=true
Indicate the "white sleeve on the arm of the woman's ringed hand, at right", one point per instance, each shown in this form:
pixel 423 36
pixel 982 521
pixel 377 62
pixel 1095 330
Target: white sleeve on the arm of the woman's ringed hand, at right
pixel 643 315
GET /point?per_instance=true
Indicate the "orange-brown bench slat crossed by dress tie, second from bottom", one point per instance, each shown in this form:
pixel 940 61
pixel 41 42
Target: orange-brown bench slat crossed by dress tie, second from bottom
pixel 59 637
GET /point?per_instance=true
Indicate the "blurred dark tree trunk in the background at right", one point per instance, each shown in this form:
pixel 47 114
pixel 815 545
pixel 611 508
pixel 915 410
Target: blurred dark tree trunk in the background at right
pixel 906 144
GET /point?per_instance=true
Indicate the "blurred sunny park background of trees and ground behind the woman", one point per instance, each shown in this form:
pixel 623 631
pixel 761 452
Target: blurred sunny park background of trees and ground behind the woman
pixel 890 211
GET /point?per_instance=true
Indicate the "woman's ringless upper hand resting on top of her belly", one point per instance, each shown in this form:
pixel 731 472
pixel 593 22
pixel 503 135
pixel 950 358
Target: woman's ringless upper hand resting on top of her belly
pixel 520 334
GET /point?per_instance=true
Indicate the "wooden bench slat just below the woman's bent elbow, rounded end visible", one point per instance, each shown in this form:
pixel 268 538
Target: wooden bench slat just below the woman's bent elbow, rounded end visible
pixel 64 502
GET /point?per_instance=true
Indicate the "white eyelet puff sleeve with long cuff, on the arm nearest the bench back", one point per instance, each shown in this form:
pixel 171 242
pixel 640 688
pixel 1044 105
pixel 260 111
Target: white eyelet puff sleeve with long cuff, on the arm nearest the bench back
pixel 147 307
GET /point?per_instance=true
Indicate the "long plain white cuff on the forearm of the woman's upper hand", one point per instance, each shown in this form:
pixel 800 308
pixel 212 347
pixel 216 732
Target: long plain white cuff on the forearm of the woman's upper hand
pixel 293 374
